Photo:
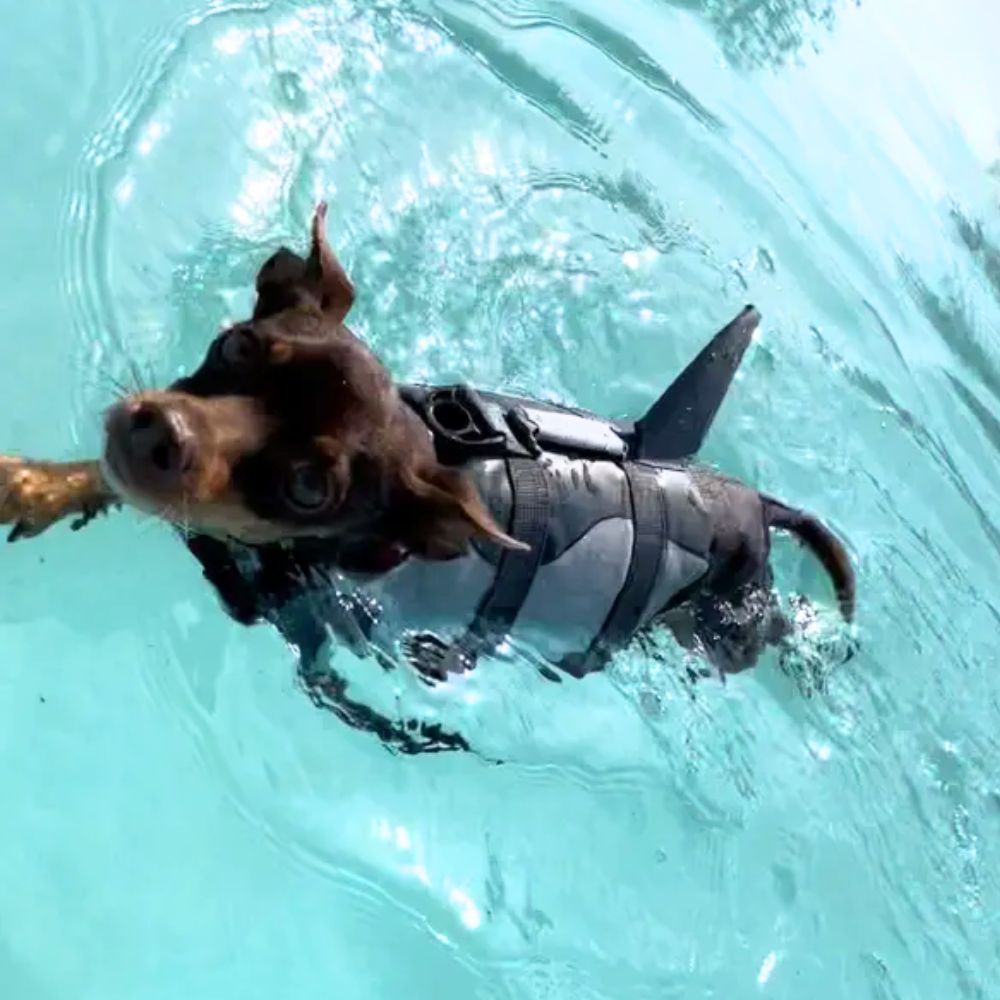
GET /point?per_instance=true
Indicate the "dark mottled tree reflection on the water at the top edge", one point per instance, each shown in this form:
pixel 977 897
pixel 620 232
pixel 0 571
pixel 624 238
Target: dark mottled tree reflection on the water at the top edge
pixel 767 33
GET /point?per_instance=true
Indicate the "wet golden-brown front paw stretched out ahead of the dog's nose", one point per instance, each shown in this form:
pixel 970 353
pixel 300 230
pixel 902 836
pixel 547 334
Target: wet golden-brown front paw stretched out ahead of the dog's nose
pixel 35 495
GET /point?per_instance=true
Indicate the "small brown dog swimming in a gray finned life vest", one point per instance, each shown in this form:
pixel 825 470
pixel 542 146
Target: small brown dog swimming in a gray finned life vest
pixel 426 524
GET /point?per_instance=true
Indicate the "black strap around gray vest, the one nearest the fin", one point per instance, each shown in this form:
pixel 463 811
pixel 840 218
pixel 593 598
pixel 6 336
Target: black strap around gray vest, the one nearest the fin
pixel 649 519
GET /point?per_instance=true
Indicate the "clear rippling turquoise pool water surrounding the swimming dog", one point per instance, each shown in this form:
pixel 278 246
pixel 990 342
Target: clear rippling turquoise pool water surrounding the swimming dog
pixel 564 198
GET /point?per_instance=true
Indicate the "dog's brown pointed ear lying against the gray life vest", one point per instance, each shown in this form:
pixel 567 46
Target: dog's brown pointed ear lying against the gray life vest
pixel 444 512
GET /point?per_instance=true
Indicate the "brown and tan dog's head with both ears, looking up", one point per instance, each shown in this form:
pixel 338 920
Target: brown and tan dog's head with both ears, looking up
pixel 291 428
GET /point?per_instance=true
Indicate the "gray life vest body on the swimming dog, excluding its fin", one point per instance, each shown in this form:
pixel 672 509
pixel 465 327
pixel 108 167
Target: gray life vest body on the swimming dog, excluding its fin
pixel 611 543
